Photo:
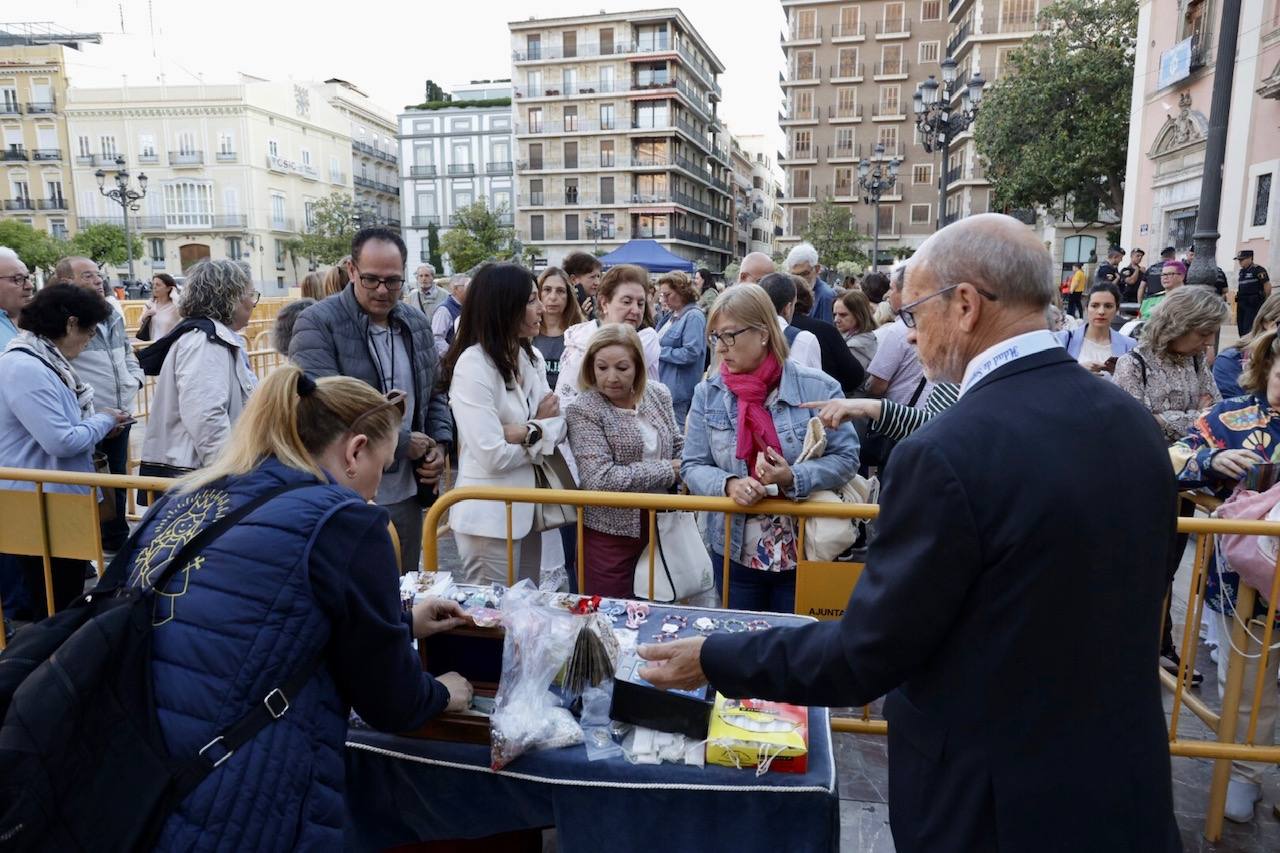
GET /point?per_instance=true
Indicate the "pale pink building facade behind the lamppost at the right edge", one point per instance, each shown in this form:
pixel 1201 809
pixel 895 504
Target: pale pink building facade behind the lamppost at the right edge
pixel 1171 108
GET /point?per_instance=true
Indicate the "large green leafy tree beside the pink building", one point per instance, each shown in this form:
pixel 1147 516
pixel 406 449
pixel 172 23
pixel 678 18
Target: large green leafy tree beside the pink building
pixel 1055 129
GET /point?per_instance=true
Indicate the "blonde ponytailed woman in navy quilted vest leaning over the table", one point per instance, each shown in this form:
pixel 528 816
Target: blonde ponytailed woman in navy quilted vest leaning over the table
pixel 312 572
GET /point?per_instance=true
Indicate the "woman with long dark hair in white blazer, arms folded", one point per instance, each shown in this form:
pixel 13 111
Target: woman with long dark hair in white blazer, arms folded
pixel 508 419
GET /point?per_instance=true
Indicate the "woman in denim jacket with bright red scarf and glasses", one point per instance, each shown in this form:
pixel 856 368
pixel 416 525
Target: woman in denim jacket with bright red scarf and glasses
pixel 747 427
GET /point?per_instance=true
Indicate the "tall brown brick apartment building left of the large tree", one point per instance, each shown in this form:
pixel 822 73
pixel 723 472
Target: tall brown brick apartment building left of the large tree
pixel 852 70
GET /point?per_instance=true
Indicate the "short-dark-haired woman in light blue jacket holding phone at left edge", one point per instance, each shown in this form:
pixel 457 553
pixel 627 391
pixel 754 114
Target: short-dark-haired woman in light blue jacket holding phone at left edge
pixel 47 413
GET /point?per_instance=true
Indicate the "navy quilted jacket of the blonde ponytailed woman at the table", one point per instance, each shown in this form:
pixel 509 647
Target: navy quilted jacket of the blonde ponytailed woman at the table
pixel 313 569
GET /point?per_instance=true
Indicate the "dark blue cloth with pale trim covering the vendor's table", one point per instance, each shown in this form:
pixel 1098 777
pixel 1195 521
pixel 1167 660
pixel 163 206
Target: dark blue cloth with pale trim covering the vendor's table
pixel 406 790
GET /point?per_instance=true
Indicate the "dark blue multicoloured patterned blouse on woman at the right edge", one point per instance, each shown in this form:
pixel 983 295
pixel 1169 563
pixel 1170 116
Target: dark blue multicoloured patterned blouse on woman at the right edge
pixel 1240 423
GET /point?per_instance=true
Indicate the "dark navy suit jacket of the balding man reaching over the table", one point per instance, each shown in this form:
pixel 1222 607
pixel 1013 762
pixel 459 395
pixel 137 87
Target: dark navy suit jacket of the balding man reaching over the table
pixel 1020 653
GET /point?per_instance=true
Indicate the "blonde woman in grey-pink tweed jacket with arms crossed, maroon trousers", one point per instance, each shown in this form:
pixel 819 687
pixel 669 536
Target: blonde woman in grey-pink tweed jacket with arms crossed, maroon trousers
pixel 623 432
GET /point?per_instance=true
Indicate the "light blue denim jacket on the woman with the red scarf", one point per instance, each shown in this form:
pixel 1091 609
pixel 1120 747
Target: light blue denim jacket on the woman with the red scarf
pixel 711 444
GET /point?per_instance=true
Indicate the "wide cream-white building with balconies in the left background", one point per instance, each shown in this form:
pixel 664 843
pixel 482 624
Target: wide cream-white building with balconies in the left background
pixel 234 171
